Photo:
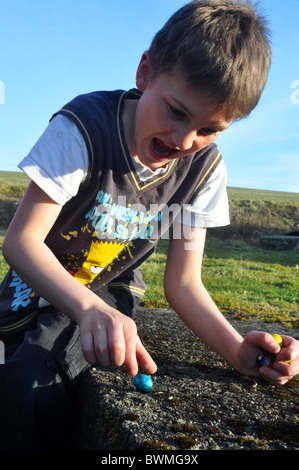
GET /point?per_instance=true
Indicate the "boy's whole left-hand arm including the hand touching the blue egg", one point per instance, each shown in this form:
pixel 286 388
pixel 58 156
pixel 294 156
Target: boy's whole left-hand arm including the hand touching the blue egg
pixel 107 336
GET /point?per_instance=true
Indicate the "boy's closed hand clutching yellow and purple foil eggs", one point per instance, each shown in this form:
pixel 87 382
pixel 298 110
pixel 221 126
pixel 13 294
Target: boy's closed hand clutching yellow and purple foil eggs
pixel 286 360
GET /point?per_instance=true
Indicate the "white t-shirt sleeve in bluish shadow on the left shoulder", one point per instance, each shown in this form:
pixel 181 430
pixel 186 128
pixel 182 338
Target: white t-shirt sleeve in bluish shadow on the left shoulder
pixel 58 162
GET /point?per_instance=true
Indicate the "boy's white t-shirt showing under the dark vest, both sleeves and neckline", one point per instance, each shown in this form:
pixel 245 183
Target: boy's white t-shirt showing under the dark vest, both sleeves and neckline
pixel 58 164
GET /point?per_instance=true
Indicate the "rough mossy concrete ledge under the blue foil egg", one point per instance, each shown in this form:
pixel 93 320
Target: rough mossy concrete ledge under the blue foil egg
pixel 198 402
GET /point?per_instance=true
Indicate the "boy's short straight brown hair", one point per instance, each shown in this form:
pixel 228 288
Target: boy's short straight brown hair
pixel 219 45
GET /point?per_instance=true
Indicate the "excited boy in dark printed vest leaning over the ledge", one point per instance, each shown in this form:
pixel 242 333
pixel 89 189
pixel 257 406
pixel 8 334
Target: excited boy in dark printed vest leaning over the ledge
pixel 109 175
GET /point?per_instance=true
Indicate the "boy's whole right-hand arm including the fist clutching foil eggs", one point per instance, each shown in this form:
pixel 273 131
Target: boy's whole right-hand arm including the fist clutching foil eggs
pixel 189 298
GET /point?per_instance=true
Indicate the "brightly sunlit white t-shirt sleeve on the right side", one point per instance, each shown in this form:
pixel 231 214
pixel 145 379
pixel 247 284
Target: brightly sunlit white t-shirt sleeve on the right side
pixel 210 207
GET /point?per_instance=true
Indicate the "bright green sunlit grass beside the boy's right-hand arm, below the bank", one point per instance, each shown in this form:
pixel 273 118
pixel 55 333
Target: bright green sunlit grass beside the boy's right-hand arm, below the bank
pixel 243 280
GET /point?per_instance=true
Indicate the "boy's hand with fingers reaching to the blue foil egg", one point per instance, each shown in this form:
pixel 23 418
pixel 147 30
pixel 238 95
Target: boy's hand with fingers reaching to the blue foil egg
pixel 110 338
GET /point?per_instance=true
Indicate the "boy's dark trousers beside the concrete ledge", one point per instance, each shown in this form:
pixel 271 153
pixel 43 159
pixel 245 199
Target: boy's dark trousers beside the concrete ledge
pixel 40 378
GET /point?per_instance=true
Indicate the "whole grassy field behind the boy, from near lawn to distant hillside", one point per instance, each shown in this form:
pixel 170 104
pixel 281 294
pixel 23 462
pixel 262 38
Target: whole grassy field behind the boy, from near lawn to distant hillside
pixel 244 279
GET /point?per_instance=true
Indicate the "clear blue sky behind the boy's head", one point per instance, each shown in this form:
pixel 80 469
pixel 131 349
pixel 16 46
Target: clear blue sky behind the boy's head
pixel 53 50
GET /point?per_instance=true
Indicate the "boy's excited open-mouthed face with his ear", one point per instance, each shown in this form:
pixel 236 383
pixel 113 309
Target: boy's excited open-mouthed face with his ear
pixel 172 119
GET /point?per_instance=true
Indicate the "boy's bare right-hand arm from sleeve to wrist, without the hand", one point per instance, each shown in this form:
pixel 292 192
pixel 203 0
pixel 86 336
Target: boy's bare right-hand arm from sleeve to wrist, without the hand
pixel 189 298
